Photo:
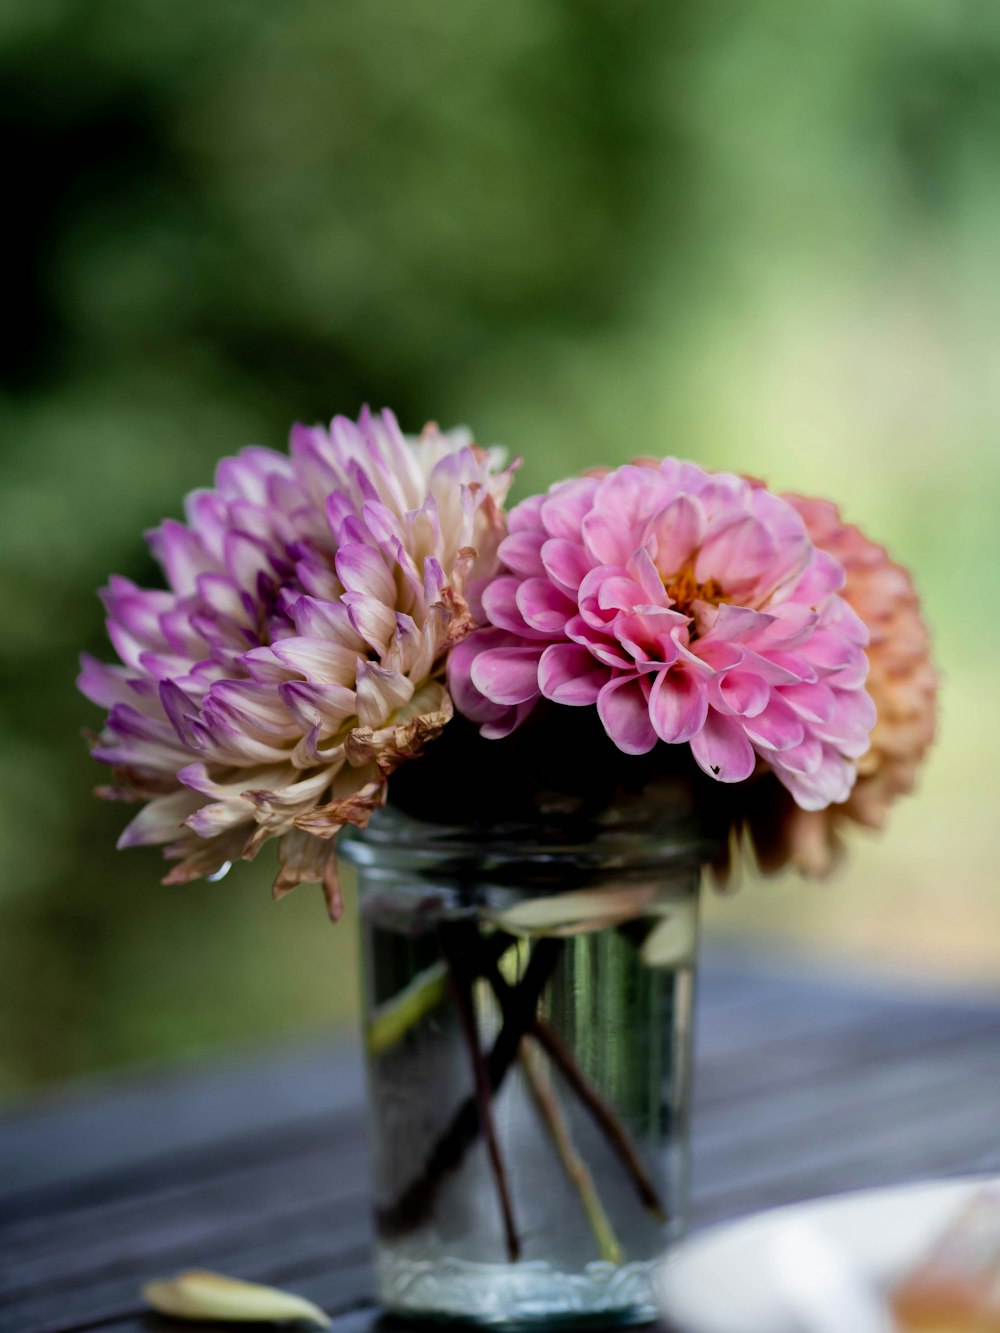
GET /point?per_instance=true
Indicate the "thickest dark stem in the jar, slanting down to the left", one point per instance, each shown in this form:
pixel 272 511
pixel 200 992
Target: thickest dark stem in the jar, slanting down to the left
pixel 417 1202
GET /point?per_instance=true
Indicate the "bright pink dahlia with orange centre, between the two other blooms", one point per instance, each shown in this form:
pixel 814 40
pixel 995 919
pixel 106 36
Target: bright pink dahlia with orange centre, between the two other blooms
pixel 691 609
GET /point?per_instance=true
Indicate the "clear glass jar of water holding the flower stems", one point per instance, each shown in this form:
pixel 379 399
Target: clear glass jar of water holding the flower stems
pixel 529 1034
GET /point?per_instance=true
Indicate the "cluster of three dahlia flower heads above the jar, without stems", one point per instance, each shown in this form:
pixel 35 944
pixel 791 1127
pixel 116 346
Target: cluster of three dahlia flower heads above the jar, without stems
pixel 330 613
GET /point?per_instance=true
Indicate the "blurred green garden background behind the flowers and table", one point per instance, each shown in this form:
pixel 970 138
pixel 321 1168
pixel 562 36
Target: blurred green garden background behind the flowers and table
pixel 761 237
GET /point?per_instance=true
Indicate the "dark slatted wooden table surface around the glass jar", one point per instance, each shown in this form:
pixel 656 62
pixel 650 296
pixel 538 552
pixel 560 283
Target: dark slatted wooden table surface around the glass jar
pixel 810 1082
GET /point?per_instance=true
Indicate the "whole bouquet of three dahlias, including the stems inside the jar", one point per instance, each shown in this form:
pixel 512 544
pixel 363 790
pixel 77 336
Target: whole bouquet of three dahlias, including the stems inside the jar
pixel 365 601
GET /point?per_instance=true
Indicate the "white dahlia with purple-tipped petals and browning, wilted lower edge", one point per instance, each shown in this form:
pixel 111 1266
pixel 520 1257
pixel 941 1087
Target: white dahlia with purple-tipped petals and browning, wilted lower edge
pixel 297 657
